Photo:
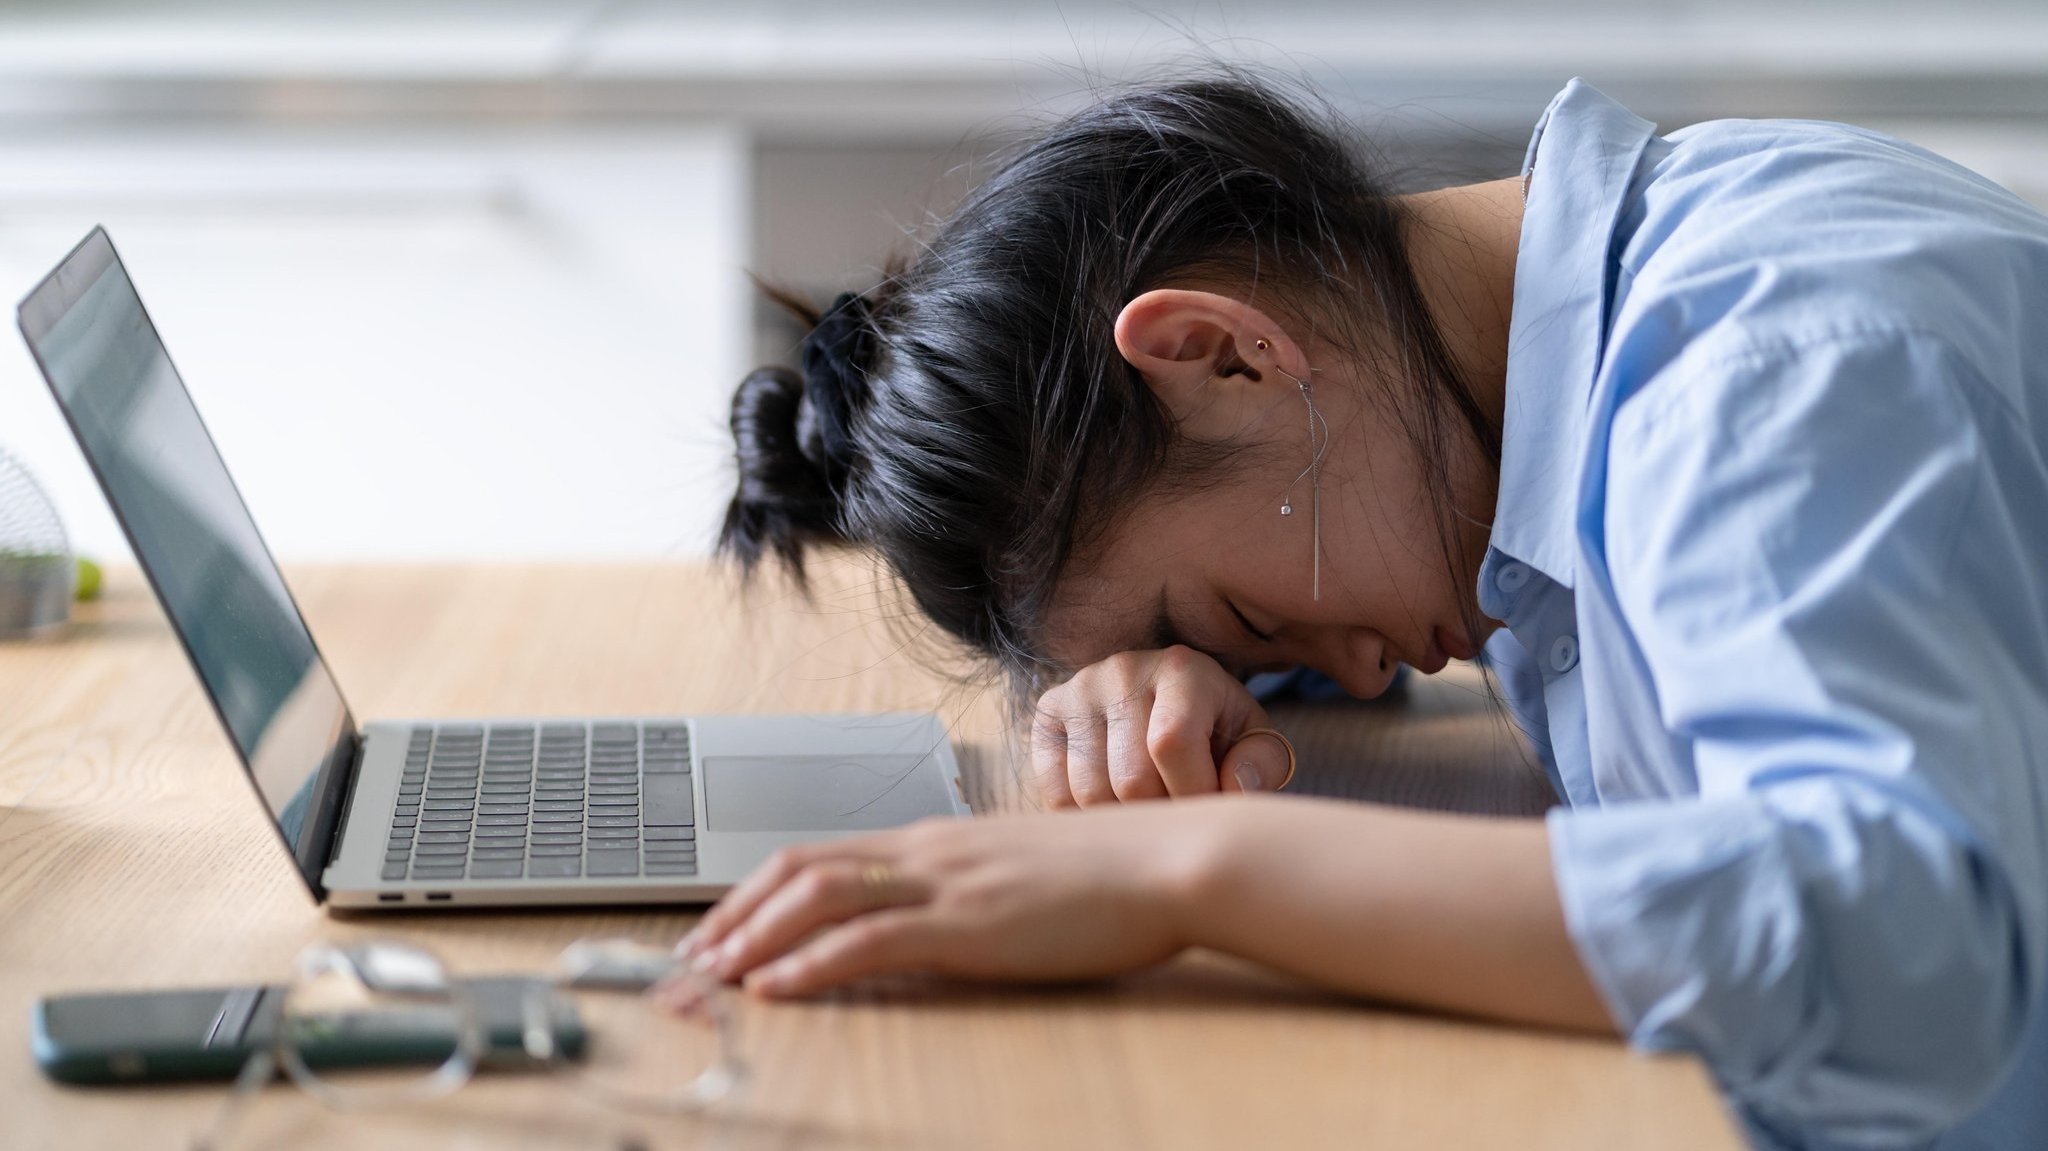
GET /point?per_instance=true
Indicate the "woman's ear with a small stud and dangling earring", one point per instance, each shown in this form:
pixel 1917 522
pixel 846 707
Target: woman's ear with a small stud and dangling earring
pixel 1209 357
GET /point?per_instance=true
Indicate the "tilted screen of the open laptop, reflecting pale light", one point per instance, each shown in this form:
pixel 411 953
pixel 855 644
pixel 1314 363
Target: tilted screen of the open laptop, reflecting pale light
pixel 196 540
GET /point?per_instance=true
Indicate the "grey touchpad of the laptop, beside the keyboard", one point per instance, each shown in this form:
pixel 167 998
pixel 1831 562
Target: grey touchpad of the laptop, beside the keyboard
pixel 820 794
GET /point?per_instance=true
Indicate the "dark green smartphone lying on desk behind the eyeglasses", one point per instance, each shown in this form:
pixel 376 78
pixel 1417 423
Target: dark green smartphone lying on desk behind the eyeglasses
pixel 155 1037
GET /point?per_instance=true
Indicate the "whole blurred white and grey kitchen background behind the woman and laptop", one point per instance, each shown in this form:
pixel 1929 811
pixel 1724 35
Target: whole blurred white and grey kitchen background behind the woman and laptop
pixel 464 278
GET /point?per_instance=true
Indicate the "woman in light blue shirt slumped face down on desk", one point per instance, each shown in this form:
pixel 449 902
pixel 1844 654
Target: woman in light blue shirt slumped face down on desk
pixel 1719 445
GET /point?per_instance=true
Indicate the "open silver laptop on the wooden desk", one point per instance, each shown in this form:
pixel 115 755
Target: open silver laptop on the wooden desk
pixel 431 812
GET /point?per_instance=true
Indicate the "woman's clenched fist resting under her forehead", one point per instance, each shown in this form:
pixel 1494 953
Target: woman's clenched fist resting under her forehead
pixel 1150 726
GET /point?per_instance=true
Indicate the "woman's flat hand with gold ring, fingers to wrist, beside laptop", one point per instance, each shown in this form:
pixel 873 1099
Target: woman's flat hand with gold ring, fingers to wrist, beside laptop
pixel 1000 898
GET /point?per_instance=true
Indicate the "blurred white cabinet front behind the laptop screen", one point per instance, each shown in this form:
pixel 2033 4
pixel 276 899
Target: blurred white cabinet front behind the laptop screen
pixel 415 343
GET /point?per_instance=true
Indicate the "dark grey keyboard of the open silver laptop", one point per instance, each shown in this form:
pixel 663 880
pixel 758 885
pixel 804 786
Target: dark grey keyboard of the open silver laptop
pixel 550 802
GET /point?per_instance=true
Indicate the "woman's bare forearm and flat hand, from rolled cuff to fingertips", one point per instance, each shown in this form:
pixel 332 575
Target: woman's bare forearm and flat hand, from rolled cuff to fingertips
pixel 1418 908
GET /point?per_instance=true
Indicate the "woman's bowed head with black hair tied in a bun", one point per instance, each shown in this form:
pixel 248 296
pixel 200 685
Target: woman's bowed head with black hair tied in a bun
pixel 1035 419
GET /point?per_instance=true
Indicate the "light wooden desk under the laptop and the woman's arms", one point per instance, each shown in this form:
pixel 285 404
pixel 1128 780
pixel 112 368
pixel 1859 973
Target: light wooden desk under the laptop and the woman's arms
pixel 134 855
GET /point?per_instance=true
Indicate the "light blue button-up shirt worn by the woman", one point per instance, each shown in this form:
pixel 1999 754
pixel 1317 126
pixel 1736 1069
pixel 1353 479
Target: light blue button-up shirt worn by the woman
pixel 1773 554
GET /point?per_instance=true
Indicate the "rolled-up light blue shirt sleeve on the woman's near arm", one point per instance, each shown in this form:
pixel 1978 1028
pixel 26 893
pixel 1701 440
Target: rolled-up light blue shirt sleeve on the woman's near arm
pixel 1846 923
